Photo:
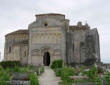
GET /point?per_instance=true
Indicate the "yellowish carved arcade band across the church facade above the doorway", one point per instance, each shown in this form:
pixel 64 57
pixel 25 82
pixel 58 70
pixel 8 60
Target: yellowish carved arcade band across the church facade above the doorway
pixel 46 37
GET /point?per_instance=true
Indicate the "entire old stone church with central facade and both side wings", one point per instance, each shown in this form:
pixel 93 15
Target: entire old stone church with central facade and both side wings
pixel 50 37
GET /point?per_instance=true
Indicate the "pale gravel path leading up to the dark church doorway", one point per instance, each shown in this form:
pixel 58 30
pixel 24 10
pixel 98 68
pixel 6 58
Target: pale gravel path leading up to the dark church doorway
pixel 48 77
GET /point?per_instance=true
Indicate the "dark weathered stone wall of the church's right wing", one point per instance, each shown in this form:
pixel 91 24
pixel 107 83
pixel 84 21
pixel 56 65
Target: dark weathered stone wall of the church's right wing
pixel 82 46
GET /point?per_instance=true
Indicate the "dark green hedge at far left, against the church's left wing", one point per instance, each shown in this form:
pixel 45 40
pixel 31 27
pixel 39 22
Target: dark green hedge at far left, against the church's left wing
pixel 6 64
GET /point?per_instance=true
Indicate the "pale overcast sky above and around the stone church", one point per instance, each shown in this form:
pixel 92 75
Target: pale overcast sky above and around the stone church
pixel 17 14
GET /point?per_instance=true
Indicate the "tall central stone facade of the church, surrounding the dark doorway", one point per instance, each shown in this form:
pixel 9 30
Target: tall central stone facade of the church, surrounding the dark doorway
pixel 48 33
